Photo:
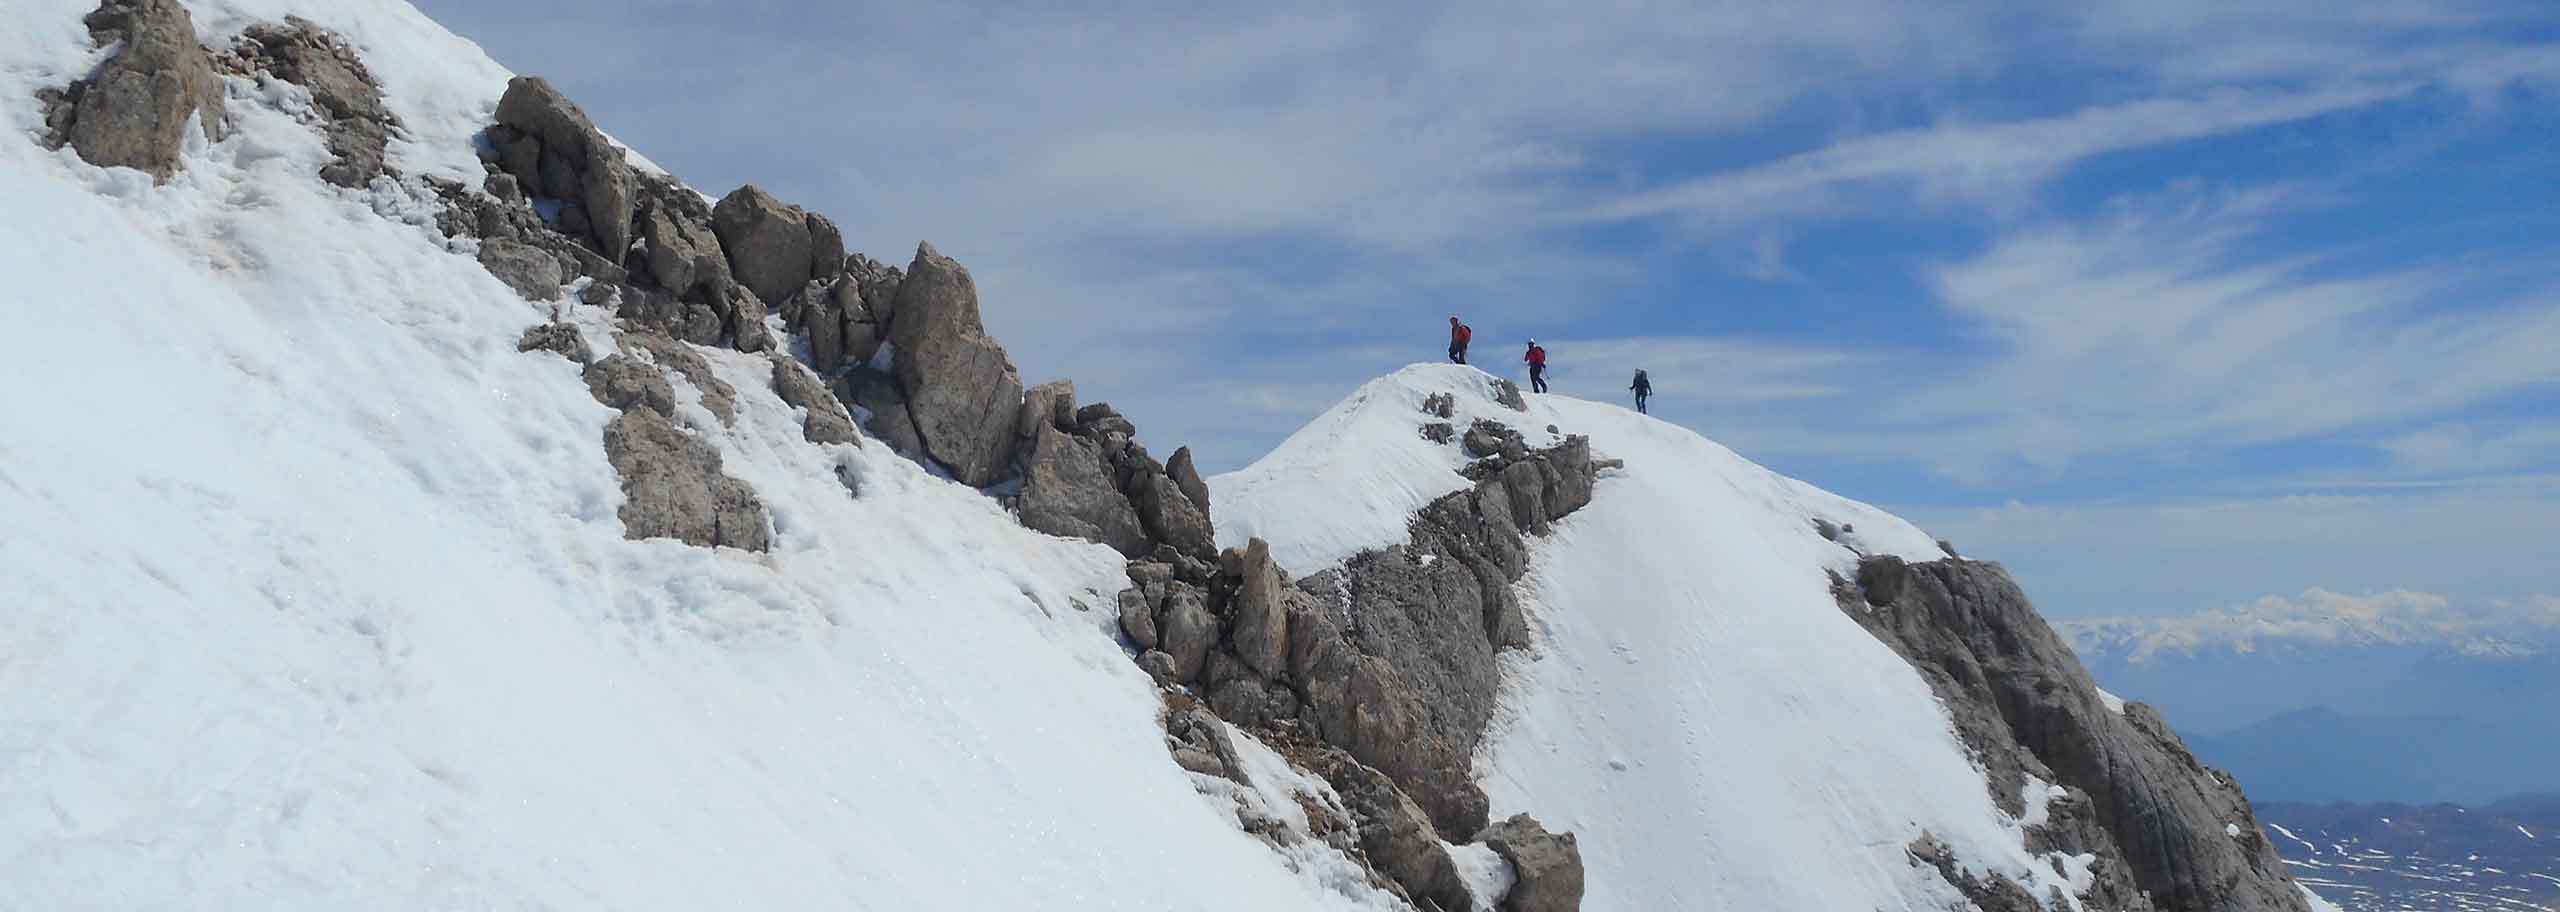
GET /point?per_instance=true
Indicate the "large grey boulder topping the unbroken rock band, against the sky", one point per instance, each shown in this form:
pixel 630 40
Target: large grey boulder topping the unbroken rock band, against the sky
pixel 570 160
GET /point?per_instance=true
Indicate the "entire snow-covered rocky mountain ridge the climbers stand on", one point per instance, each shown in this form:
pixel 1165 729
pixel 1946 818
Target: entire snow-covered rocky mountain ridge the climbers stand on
pixel 444 506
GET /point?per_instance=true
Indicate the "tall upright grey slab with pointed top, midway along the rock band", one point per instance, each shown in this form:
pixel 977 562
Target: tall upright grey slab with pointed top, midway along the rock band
pixel 961 391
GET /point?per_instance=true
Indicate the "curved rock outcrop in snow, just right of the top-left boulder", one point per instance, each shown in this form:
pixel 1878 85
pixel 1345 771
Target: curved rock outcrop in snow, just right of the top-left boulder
pixel 306 55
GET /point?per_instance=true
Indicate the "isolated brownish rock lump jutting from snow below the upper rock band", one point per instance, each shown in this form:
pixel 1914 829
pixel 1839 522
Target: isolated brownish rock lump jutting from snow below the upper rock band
pixel 672 488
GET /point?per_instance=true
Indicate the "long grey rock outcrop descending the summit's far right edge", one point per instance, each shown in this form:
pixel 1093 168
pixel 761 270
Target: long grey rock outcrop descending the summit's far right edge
pixel 2136 798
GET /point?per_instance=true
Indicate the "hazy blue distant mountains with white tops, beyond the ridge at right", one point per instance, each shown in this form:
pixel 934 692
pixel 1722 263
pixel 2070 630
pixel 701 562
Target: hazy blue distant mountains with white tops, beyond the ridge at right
pixel 2336 698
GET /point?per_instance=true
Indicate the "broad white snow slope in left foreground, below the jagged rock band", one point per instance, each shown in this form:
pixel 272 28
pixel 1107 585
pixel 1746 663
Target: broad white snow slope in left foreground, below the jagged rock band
pixel 316 590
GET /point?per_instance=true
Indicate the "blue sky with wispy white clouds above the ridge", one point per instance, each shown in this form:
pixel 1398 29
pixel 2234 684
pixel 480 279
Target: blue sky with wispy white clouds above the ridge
pixel 2170 306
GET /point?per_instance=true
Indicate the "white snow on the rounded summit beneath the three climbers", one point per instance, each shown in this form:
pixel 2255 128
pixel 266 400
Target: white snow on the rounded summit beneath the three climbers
pixel 1696 708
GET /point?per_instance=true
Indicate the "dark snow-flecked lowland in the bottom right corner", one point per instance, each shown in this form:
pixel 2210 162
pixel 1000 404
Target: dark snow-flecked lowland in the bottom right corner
pixel 2436 857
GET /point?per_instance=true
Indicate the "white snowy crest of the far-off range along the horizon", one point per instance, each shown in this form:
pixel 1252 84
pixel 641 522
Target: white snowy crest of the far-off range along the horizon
pixel 2321 619
